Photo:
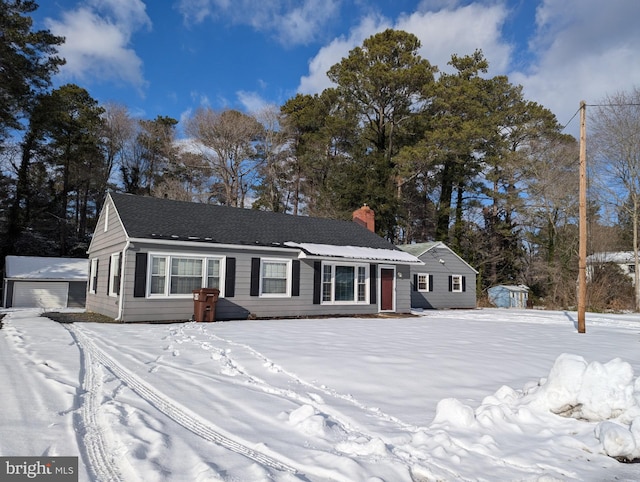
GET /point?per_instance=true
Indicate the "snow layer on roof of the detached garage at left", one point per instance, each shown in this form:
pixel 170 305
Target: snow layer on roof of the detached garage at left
pixel 30 267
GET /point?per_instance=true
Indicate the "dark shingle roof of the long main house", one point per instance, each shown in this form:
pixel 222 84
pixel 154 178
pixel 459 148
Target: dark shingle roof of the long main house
pixel 157 218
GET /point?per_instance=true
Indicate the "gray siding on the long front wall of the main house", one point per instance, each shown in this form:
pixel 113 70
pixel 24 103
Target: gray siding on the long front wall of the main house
pixel 242 304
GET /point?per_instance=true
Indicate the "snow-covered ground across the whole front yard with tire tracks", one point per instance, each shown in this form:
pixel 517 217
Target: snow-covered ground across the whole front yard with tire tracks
pixel 495 395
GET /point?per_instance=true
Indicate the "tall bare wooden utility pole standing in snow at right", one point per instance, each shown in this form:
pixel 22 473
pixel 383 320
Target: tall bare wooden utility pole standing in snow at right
pixel 582 252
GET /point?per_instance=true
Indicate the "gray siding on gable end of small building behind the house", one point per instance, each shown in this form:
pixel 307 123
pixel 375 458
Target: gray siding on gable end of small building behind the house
pixel 440 297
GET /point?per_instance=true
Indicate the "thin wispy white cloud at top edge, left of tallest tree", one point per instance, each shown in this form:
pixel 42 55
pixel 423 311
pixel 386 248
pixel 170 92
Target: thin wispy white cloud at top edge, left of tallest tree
pixel 292 23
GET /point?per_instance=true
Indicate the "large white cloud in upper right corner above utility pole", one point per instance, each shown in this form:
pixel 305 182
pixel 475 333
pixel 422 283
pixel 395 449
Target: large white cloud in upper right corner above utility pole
pixel 586 50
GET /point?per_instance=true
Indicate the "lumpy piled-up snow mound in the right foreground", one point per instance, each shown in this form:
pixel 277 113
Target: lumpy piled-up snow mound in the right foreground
pixel 607 395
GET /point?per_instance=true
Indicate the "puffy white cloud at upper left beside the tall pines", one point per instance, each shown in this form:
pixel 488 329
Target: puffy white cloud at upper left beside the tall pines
pixel 97 41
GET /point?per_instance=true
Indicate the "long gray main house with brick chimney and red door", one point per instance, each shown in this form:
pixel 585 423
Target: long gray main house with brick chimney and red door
pixel 148 255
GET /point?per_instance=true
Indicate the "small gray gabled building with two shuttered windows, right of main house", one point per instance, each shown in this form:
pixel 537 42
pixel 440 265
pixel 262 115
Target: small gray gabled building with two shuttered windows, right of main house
pixel 444 280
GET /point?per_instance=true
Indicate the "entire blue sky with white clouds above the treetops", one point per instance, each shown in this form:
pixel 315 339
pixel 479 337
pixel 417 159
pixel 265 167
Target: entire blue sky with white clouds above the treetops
pixel 168 57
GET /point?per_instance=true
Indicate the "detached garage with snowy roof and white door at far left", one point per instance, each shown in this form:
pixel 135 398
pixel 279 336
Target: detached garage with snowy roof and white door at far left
pixel 40 282
